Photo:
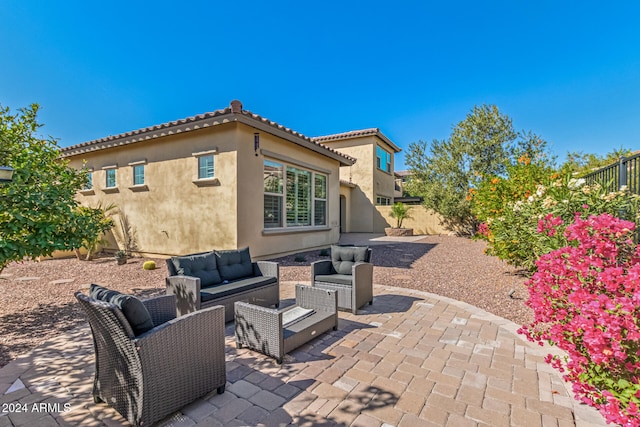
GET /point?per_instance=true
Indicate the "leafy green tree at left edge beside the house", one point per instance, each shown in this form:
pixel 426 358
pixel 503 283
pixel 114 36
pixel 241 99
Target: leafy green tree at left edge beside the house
pixel 38 210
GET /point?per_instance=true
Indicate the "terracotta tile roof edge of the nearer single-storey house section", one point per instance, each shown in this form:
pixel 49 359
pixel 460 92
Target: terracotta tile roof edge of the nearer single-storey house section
pixel 230 114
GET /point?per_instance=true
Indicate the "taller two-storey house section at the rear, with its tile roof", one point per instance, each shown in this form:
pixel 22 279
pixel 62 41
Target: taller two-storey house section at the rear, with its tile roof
pixel 368 183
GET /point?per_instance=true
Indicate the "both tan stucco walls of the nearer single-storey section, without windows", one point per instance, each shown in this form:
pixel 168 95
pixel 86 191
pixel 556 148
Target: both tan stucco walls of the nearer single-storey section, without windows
pixel 176 216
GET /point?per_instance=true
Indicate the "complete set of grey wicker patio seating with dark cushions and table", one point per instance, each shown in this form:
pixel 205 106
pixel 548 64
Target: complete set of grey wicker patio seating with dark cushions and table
pixel 155 356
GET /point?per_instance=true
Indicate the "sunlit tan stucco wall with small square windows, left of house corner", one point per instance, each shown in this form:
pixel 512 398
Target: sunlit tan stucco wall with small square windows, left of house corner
pixel 174 216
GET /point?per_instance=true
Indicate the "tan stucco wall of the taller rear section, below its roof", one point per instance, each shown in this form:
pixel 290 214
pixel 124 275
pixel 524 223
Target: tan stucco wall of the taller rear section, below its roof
pixel 371 182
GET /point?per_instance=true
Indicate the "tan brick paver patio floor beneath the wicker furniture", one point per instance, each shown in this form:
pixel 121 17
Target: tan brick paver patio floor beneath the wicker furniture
pixel 410 359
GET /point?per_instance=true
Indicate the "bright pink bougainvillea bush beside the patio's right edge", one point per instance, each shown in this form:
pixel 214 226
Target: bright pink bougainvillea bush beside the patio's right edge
pixel 586 300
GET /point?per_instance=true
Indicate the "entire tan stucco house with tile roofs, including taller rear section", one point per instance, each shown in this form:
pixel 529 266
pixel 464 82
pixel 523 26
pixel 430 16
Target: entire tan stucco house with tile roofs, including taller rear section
pixel 229 179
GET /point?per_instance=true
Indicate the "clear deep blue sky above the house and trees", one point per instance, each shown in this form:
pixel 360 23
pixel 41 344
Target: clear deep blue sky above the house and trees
pixel 566 70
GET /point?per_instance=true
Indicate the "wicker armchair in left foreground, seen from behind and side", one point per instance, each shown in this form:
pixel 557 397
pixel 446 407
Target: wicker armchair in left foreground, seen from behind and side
pixel 149 376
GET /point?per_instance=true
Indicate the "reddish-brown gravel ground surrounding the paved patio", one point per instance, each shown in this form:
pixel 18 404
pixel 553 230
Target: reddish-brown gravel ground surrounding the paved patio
pixel 36 298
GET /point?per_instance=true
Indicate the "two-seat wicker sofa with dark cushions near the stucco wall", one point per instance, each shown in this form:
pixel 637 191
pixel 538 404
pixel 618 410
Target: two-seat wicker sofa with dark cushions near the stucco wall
pixel 221 278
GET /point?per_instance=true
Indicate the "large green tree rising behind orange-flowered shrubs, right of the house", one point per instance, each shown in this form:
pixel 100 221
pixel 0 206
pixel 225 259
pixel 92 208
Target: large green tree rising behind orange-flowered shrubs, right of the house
pixel 481 145
